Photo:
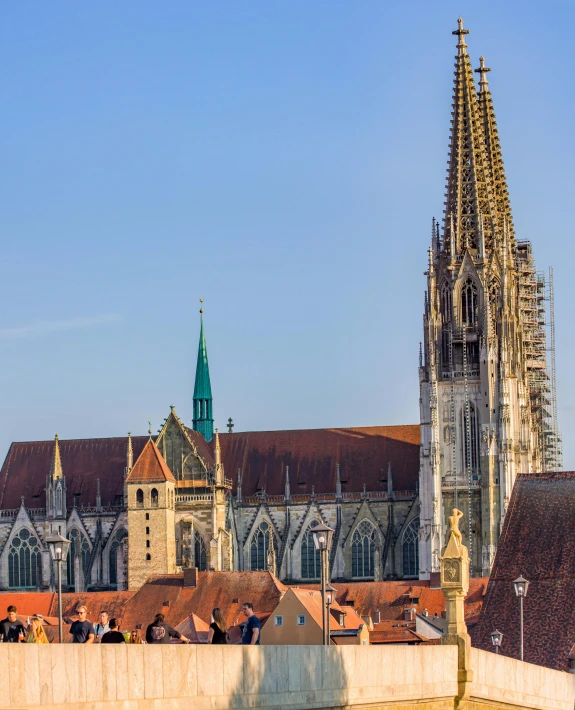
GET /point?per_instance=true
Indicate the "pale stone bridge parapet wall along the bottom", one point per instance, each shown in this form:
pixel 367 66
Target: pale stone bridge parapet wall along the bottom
pixel 216 677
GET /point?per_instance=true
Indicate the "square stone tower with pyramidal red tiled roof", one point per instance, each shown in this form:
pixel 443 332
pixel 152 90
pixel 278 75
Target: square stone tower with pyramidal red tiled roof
pixel 151 502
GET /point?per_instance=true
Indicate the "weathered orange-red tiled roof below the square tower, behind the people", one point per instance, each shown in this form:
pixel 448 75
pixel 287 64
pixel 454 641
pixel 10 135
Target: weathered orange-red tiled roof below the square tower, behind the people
pixel 214 589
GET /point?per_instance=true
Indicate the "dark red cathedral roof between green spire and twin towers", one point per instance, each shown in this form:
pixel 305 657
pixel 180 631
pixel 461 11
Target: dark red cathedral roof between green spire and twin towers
pixel 313 454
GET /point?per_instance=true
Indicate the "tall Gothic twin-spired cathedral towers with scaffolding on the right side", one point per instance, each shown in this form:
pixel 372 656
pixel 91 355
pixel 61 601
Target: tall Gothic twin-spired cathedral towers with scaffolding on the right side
pixel 483 417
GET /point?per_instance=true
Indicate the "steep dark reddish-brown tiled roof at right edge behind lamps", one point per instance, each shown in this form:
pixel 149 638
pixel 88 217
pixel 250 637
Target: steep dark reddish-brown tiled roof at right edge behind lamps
pixel 537 542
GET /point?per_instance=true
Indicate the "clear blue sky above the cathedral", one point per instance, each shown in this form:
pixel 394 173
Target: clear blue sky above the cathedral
pixel 281 160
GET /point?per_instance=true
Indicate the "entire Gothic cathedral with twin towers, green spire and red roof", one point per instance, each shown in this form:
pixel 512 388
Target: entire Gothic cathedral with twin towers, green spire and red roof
pixel 192 497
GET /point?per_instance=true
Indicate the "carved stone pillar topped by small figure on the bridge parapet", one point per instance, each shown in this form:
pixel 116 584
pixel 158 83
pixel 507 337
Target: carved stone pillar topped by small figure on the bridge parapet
pixel 455 585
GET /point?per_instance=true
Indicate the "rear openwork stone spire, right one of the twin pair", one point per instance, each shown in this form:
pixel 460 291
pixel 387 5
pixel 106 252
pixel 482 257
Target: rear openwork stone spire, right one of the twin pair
pixel 493 150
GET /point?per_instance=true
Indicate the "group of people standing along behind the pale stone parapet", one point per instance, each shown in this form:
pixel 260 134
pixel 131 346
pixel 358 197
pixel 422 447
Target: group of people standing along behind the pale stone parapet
pixel 12 630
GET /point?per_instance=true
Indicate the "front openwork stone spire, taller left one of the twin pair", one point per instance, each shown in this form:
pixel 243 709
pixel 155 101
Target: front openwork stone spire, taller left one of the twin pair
pixel 469 189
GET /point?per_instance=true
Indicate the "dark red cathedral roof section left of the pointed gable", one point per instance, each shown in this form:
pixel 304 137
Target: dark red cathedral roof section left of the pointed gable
pixel 84 461
